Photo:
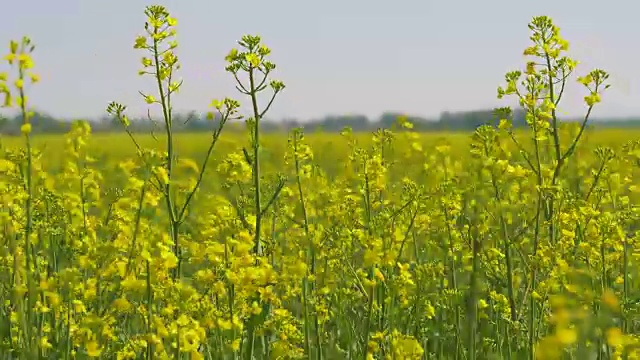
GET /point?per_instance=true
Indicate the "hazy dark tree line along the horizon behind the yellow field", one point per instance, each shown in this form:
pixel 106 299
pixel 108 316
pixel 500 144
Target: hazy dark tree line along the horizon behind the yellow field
pixel 193 122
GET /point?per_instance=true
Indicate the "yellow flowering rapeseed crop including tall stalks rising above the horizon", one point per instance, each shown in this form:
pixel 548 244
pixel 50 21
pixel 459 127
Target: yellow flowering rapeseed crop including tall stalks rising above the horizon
pixel 501 243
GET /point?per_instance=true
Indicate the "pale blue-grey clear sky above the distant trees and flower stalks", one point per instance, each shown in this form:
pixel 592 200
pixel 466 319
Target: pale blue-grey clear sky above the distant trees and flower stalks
pixel 352 56
